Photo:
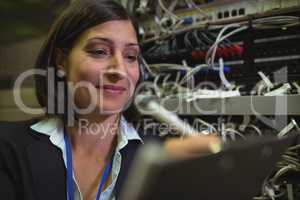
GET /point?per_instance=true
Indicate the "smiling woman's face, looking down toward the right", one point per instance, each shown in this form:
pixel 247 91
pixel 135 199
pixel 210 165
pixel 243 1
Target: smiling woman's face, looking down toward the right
pixel 106 57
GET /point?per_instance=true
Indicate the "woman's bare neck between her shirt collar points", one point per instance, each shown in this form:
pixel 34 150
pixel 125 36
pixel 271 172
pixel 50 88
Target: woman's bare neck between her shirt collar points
pixel 93 137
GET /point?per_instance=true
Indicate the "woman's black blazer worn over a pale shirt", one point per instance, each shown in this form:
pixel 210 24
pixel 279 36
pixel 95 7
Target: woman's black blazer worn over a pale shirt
pixel 32 168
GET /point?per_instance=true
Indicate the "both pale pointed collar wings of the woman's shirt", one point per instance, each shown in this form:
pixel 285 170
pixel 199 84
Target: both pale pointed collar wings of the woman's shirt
pixel 54 128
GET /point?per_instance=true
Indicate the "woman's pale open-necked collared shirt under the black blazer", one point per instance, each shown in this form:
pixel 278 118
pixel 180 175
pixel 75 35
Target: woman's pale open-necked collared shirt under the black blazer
pixel 54 128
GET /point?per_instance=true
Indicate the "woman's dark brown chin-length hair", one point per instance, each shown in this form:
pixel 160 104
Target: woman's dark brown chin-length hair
pixel 74 20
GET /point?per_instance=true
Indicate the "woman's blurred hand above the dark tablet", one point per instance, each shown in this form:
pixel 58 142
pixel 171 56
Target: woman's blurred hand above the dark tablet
pixel 192 146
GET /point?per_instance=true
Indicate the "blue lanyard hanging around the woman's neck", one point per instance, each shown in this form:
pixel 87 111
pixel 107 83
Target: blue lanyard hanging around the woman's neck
pixel 70 184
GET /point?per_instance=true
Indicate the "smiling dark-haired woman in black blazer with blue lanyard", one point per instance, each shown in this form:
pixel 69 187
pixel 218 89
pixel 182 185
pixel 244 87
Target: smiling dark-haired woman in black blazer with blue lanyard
pixel 92 48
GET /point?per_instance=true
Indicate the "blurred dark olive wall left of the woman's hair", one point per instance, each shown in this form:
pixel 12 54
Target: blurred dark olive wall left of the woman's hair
pixel 24 24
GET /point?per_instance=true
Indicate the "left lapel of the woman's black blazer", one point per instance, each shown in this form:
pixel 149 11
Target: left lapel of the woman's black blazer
pixel 48 170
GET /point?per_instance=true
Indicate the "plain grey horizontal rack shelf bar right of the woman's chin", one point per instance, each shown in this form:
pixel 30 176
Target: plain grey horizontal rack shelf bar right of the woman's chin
pixel 243 105
